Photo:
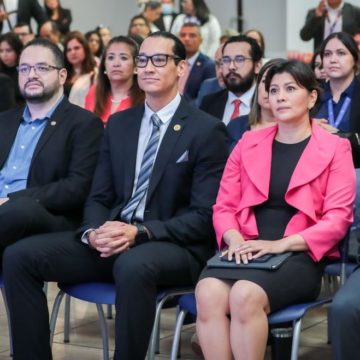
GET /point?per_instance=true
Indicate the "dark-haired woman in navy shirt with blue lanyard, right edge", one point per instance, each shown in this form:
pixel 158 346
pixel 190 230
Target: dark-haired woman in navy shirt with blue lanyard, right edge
pixel 340 102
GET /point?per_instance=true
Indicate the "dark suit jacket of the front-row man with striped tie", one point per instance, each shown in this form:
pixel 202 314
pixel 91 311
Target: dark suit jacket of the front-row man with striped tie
pixel 180 195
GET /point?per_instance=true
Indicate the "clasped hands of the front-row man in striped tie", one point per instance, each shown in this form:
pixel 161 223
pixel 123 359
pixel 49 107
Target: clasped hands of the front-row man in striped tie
pixel 113 237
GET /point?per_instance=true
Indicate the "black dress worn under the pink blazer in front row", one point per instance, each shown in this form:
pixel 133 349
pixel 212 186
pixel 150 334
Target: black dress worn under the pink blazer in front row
pixel 299 278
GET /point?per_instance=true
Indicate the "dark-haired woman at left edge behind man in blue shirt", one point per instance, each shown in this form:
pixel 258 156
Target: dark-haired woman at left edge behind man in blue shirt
pixel 10 49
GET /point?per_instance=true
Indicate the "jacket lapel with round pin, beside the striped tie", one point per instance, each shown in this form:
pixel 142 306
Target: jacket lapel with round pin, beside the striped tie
pixel 168 143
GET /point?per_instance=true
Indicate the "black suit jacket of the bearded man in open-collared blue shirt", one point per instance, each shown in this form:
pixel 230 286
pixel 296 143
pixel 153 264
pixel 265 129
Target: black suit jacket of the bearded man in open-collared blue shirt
pixel 64 159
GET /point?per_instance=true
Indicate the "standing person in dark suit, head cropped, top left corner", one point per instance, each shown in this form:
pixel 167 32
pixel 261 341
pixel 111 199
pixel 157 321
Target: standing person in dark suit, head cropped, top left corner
pixel 23 13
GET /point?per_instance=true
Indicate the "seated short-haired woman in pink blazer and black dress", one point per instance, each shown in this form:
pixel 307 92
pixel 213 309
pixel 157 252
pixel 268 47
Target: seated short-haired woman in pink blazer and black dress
pixel 290 187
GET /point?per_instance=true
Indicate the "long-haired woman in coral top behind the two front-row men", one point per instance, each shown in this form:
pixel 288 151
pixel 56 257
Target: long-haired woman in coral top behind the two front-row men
pixel 116 88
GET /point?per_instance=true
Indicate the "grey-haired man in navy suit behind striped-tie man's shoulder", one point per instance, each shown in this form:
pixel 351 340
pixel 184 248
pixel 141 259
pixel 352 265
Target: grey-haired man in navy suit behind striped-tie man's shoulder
pixel 200 66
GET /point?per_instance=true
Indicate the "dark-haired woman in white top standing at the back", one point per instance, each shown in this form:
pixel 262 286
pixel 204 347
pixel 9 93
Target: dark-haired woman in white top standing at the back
pixel 196 11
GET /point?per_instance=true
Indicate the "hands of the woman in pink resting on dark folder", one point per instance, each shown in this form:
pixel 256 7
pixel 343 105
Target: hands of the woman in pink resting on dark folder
pixel 245 251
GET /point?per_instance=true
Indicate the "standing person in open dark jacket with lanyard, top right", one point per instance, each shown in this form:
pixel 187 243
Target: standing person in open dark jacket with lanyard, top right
pixel 328 17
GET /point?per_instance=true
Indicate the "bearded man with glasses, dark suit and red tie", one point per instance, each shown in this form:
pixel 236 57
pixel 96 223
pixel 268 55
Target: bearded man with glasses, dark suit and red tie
pixel 241 62
